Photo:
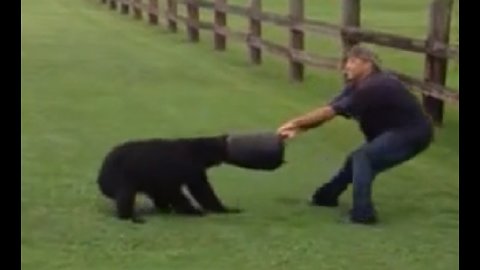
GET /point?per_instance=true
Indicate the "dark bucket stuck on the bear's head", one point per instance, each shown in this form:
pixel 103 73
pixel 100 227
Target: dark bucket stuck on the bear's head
pixel 260 151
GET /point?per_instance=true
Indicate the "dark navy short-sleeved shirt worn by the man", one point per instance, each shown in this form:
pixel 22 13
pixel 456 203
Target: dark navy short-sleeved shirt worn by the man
pixel 381 103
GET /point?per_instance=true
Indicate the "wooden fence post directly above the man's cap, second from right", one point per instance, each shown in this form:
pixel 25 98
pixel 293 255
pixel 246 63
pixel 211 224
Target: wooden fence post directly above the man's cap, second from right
pixel 351 12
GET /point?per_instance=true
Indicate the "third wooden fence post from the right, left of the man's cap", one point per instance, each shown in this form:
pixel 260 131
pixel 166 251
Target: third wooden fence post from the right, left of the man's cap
pixel 296 39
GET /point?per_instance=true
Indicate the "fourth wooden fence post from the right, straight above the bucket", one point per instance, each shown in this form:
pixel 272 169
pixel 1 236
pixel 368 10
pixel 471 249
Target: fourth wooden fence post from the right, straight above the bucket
pixel 255 31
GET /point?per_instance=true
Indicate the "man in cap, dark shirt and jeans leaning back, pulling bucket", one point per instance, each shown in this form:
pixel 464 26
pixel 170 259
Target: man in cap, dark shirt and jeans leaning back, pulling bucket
pixel 393 122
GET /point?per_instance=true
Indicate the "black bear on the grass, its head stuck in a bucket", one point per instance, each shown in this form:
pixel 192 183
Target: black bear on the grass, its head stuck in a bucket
pixel 160 168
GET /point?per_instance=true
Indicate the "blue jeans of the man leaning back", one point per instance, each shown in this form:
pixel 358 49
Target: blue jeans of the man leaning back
pixel 365 163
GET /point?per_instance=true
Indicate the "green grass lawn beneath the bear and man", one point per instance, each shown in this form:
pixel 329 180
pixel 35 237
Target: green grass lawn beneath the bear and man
pixel 92 78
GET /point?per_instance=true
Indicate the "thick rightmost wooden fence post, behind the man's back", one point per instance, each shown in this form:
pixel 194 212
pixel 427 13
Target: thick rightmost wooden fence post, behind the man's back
pixel 435 67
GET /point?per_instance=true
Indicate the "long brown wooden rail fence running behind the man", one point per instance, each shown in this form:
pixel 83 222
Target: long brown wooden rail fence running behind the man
pixel 435 47
